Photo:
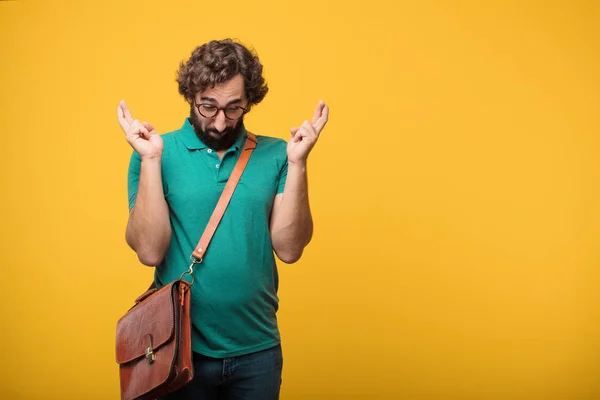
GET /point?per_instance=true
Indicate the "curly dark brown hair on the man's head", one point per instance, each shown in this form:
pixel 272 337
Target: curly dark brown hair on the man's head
pixel 218 61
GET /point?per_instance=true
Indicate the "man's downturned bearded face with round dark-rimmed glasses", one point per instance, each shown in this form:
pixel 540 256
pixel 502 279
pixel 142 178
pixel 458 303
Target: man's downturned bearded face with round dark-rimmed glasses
pixel 219 132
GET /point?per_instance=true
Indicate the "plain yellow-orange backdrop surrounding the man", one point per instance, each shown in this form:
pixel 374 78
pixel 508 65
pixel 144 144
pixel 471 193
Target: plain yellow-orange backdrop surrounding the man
pixel 454 190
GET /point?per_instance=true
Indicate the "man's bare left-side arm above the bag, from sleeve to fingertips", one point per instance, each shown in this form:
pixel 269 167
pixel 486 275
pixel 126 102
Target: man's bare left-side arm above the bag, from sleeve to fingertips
pixel 148 230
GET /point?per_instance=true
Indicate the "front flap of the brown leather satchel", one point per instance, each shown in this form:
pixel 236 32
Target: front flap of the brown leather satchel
pixel 149 323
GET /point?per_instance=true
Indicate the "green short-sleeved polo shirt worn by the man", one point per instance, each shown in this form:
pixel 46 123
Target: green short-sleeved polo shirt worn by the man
pixel 234 296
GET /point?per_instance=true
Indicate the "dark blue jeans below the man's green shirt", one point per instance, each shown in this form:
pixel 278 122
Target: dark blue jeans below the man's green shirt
pixel 255 376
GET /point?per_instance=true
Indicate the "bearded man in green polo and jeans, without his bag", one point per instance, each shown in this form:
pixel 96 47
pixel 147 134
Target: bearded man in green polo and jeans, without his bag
pixel 175 181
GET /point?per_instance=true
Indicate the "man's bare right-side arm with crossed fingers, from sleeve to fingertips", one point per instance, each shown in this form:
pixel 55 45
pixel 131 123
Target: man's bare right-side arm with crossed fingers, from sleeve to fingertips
pixel 291 220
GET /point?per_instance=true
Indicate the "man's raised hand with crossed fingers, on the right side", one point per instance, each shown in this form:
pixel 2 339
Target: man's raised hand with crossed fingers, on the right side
pixel 305 137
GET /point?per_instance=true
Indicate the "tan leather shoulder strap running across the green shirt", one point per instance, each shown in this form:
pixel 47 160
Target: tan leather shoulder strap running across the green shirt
pixel 200 250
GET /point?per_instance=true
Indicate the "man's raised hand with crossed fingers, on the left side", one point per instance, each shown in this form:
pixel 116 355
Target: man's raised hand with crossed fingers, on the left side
pixel 144 139
